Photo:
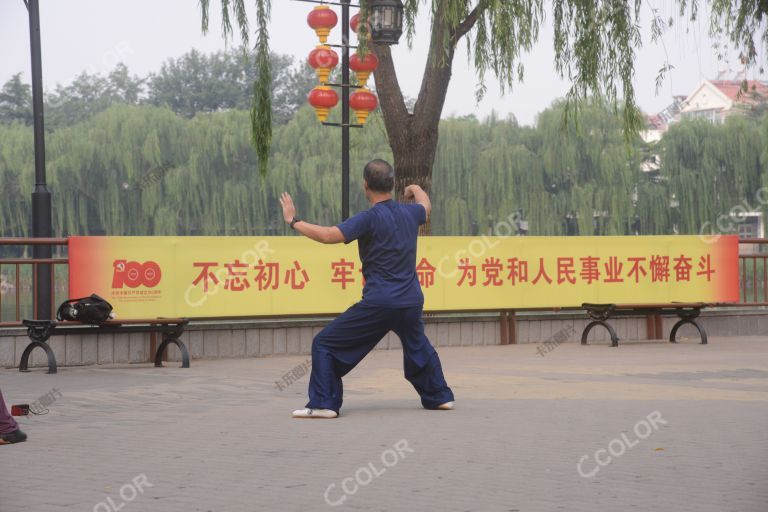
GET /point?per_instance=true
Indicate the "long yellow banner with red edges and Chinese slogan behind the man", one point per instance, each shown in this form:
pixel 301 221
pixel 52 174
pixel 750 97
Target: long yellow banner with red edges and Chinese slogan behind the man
pixel 312 278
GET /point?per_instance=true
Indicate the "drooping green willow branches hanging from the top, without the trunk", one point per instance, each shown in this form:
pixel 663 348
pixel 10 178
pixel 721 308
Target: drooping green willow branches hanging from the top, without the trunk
pixel 594 42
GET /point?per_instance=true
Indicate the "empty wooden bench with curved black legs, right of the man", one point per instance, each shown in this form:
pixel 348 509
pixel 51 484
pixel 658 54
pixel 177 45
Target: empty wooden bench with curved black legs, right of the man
pixel 686 311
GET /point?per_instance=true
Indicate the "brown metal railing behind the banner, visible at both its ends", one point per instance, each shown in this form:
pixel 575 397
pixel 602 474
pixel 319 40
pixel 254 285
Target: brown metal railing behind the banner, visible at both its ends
pixel 753 276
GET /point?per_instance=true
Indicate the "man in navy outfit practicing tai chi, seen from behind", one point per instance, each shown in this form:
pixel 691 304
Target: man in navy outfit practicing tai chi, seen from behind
pixel 392 297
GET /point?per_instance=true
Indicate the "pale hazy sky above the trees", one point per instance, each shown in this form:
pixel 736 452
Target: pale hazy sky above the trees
pixel 94 35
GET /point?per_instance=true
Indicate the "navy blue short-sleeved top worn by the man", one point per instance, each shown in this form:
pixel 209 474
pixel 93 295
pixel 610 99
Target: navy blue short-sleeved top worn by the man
pixel 386 236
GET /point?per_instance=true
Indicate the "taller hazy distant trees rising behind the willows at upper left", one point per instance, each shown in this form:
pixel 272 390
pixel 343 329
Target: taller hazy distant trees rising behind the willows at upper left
pixel 191 84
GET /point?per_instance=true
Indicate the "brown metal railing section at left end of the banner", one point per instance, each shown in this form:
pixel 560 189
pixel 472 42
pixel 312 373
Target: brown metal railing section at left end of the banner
pixel 17 286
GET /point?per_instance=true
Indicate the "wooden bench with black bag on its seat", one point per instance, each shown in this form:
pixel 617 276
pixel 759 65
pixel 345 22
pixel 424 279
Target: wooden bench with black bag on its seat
pixel 39 331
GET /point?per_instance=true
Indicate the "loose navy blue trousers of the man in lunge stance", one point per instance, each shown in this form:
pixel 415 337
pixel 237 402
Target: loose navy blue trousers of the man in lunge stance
pixel 347 340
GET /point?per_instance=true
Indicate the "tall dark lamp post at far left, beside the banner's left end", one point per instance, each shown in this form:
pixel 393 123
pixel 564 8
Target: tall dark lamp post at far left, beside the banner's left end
pixel 41 196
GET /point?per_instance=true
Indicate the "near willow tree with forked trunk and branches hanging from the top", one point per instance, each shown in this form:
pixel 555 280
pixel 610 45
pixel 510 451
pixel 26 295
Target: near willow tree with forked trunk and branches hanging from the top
pixel 594 41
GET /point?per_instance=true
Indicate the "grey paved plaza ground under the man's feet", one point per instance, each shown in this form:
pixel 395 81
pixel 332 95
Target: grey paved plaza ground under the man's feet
pixel 648 426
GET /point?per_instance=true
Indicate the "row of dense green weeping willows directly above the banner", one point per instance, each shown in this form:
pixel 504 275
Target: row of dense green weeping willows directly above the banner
pixel 144 170
